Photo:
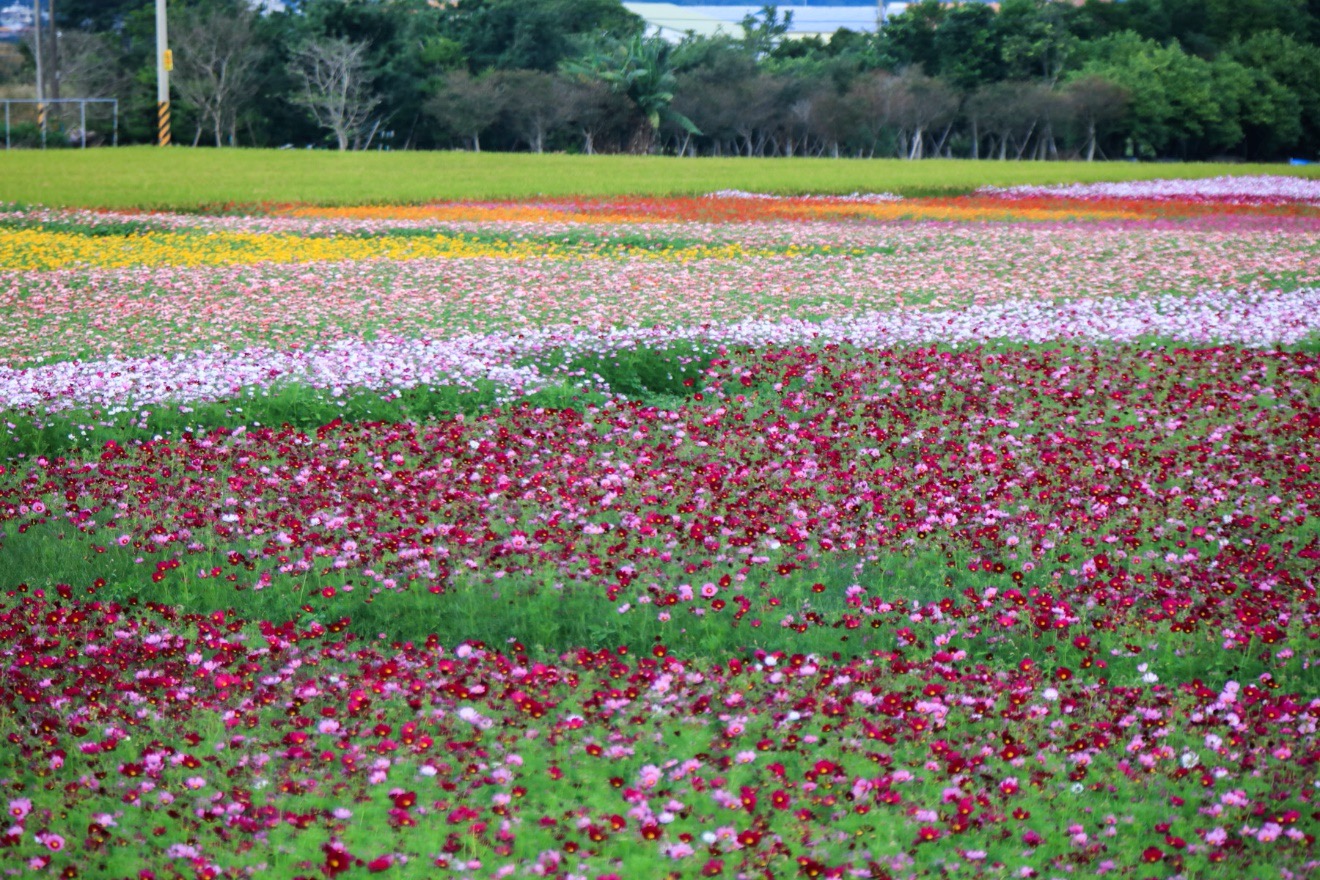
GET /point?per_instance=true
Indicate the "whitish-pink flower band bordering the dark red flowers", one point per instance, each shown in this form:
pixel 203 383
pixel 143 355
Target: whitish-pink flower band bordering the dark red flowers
pixel 391 365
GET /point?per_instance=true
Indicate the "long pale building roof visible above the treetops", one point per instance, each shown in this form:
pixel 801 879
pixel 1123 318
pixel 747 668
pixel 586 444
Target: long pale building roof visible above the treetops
pixel 674 23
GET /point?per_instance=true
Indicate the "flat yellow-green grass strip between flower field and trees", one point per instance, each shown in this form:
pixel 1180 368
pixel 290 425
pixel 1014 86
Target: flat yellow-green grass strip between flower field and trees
pixel 192 179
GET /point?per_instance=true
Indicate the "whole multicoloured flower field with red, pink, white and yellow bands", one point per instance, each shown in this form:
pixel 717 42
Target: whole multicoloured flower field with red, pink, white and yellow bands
pixel 608 539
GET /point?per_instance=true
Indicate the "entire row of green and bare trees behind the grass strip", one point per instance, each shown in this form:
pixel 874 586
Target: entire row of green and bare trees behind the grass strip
pixel 1021 80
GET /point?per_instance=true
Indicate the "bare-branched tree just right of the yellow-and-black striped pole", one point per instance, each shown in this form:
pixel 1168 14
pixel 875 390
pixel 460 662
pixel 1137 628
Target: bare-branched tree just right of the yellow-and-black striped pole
pixel 218 64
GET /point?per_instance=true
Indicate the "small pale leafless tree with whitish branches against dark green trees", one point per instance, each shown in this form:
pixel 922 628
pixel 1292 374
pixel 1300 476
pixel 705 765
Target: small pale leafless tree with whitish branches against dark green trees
pixel 333 86
